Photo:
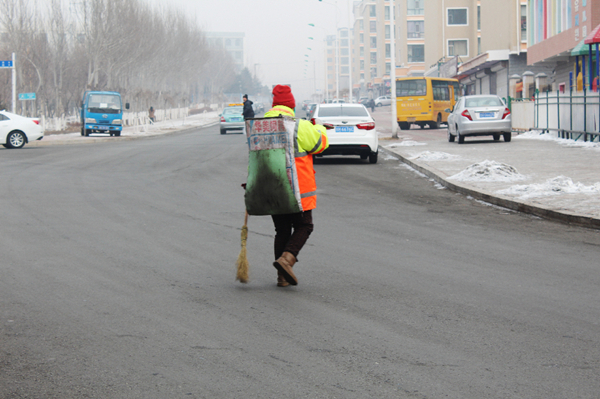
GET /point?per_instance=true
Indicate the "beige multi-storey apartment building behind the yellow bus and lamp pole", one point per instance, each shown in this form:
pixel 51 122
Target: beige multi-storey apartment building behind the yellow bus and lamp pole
pixel 436 37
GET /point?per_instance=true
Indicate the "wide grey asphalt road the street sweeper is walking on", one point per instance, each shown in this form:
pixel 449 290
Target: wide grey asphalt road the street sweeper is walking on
pixel 117 281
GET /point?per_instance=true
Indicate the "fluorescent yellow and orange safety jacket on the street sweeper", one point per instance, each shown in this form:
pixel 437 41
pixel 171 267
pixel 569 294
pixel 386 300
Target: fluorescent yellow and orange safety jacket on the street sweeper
pixel 309 139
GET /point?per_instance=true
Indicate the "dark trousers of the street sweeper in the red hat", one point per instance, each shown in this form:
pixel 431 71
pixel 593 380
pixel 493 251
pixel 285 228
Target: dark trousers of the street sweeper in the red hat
pixel 291 232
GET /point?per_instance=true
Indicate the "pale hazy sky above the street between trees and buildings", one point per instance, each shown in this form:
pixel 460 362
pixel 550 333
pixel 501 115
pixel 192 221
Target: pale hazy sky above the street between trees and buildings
pixel 277 34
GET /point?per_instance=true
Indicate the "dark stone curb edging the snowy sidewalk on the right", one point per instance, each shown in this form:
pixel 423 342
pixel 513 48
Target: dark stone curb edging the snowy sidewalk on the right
pixel 565 217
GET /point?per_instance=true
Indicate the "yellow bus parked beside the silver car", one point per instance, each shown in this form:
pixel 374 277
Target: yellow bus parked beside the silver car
pixel 423 100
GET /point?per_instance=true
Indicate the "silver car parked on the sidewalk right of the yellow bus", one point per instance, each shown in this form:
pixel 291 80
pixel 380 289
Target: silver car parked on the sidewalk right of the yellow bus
pixel 479 115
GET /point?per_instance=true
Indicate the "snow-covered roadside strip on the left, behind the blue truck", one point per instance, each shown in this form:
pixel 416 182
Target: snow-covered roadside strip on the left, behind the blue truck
pixel 128 133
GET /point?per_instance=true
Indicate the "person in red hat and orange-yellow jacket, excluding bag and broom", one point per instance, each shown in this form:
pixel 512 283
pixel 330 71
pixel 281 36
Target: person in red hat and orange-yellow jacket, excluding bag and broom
pixel 292 230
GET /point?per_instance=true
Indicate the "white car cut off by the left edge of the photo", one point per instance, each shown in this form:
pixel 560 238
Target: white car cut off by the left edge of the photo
pixel 16 130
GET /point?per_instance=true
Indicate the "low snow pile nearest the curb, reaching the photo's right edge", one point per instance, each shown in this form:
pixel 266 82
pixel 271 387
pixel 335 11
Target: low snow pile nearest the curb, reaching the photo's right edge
pixel 556 186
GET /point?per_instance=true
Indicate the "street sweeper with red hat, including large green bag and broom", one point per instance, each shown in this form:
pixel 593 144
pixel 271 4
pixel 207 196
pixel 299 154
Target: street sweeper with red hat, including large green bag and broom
pixel 281 178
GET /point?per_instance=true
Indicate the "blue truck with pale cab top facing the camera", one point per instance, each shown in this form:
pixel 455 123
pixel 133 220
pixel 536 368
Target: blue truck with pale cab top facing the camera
pixel 102 112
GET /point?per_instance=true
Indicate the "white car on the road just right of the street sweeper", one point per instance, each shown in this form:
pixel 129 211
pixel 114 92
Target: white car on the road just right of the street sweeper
pixel 351 130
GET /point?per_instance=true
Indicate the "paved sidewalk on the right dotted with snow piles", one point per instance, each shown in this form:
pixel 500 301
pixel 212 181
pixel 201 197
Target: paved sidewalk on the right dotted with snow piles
pixel 537 174
